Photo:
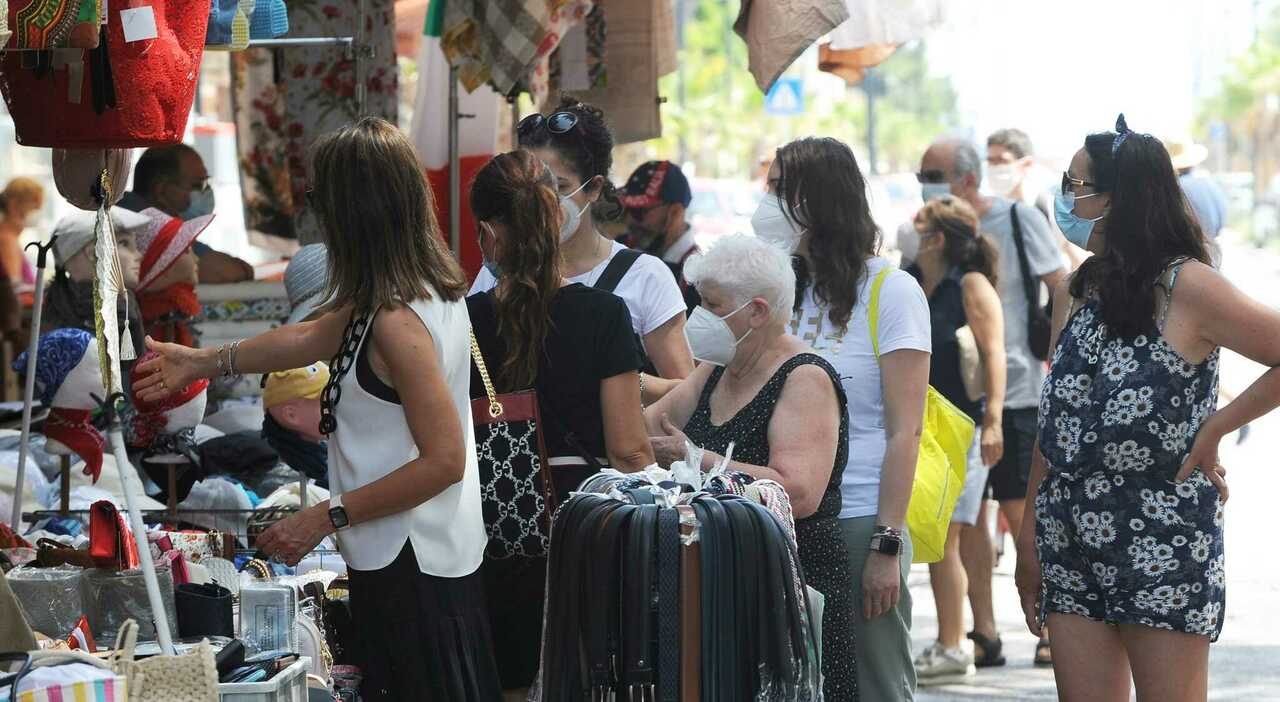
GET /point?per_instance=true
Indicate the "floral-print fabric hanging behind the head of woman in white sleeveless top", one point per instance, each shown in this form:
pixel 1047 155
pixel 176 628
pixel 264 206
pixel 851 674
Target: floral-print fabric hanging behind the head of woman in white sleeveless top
pixel 285 99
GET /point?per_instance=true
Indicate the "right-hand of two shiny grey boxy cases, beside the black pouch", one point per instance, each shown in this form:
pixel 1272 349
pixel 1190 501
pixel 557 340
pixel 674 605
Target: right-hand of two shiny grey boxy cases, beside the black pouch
pixel 113 598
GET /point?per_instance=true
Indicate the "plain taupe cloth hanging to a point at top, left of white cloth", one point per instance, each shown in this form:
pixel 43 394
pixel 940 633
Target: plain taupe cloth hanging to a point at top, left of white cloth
pixel 779 31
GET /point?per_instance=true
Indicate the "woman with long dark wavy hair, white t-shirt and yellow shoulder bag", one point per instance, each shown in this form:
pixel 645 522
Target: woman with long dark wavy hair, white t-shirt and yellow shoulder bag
pixel 817 208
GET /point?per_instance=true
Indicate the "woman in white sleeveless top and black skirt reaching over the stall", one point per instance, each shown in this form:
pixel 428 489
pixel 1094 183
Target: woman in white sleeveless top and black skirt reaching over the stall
pixel 403 464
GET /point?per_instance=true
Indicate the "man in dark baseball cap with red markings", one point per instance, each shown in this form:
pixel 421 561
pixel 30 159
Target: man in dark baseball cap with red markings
pixel 657 197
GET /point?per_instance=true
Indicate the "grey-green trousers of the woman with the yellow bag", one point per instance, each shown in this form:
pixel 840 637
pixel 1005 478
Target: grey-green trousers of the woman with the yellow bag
pixel 885 668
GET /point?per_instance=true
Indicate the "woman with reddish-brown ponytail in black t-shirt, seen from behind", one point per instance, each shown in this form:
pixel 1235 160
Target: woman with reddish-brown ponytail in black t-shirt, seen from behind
pixel 573 345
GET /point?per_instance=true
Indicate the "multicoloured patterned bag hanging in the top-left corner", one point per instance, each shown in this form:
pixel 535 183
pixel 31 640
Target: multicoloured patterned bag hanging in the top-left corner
pixel 38 25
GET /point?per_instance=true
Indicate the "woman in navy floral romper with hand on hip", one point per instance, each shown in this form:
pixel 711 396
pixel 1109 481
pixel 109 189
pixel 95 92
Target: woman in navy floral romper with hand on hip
pixel 1126 559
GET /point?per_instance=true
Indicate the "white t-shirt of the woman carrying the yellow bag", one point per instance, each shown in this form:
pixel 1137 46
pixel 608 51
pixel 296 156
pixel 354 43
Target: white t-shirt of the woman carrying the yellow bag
pixel 904 323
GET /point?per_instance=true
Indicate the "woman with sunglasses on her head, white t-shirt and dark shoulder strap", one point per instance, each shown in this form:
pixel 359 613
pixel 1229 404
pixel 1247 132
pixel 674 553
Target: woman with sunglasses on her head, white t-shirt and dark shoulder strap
pixel 578 145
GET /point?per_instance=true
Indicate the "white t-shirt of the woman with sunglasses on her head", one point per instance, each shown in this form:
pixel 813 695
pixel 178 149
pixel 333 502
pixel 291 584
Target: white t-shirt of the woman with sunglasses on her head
pixel 650 290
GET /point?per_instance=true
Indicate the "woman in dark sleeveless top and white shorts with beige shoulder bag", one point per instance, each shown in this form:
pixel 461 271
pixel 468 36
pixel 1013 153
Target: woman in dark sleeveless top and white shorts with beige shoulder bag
pixel 957 267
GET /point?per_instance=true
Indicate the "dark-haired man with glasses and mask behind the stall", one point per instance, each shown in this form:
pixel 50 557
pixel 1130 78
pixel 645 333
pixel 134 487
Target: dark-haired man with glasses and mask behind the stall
pixel 175 181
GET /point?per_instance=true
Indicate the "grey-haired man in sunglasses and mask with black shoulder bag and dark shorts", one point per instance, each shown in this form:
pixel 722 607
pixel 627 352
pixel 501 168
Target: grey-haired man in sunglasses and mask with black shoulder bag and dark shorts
pixel 958 166
